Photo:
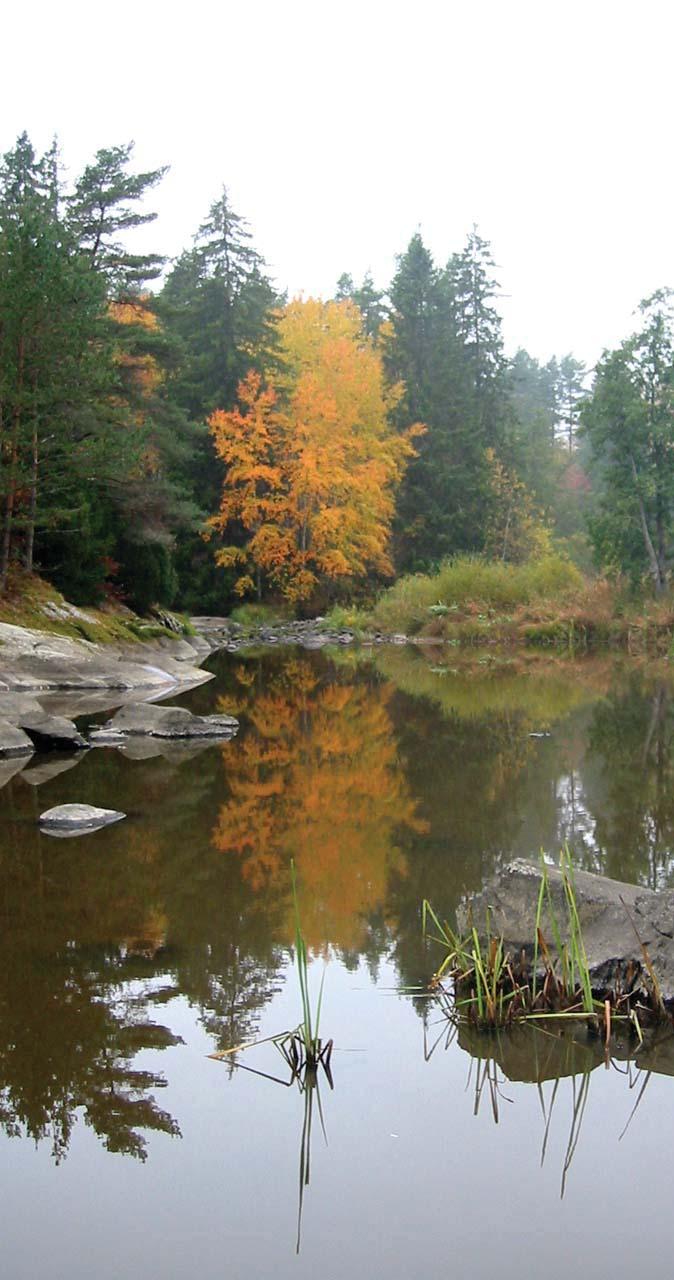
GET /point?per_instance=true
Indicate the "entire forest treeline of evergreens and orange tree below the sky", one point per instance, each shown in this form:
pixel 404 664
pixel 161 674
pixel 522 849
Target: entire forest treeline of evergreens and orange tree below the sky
pixel 182 433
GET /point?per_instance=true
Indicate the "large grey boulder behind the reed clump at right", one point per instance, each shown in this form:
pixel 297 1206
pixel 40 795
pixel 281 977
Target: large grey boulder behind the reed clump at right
pixel 609 936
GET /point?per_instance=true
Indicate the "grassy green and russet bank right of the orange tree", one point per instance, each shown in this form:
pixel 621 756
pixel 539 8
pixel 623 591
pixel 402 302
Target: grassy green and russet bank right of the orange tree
pixel 545 604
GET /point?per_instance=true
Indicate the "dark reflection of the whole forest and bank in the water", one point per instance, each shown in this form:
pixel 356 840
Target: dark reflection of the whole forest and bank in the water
pixel 386 780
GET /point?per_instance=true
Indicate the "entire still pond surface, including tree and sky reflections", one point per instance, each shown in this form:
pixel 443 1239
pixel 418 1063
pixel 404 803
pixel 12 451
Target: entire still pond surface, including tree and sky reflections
pixel 131 954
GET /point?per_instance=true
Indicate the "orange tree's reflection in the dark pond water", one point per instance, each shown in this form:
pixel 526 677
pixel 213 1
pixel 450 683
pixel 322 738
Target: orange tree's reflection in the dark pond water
pixel 318 780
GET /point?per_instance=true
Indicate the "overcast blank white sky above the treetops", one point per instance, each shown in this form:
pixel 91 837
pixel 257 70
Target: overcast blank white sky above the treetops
pixel 342 129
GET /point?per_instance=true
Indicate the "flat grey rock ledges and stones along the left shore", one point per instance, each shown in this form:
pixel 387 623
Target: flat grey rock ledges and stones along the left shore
pixel 48 682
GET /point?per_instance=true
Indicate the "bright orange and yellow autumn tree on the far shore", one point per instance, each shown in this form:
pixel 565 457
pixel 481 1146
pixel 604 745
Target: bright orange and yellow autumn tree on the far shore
pixel 313 464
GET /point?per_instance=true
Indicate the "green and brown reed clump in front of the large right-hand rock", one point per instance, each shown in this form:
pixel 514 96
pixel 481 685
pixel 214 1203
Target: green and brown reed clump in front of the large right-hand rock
pixel 493 989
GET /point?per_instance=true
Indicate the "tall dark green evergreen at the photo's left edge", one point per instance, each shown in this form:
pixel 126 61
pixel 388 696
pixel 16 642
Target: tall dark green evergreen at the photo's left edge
pixel 56 359
